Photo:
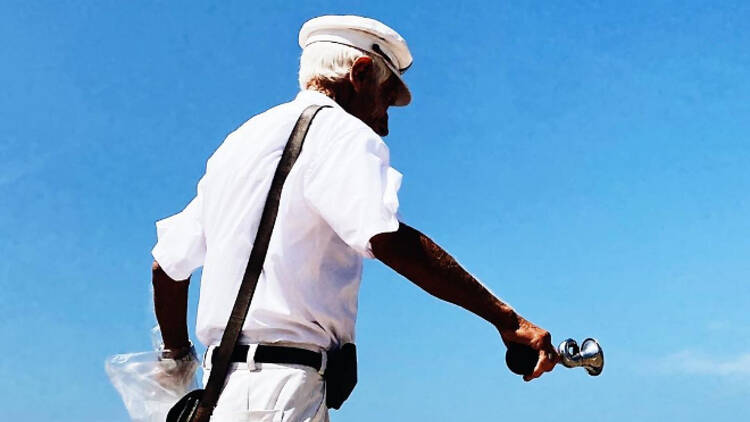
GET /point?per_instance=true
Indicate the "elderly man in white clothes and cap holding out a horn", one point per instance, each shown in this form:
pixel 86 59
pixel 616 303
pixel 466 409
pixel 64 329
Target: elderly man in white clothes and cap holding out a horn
pixel 338 205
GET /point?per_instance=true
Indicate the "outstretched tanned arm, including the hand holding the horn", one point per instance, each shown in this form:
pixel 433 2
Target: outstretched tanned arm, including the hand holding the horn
pixel 419 259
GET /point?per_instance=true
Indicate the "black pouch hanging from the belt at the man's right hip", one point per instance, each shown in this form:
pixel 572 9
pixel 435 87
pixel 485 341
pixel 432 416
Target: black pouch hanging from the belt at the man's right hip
pixel 340 375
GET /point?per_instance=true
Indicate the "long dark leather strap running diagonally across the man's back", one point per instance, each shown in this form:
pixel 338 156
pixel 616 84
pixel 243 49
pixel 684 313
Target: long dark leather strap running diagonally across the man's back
pixel 223 353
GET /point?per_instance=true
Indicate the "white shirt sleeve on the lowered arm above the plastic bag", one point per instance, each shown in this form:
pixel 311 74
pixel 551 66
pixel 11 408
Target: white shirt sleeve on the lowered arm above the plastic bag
pixel 181 245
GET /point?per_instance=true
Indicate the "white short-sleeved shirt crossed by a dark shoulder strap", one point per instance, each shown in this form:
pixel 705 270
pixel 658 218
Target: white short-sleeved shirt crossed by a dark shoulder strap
pixel 340 193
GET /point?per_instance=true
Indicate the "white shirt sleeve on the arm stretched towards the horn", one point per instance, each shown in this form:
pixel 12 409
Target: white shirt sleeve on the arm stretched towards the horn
pixel 355 190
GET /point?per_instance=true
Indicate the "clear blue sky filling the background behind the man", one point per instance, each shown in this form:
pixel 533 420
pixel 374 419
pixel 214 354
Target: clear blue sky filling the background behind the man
pixel 589 161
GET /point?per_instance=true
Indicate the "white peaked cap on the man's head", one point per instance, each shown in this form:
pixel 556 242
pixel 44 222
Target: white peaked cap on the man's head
pixel 364 34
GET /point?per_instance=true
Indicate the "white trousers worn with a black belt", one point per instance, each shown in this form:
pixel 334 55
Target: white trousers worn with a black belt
pixel 267 392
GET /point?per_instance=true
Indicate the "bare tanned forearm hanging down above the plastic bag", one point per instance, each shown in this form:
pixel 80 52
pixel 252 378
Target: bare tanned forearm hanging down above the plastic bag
pixel 170 306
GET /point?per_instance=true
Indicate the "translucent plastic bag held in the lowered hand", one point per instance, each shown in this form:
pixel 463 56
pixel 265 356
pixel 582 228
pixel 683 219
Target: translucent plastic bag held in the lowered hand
pixel 148 385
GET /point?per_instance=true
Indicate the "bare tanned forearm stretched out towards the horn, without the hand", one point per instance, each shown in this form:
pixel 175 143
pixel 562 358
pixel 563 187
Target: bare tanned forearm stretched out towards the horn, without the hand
pixel 422 261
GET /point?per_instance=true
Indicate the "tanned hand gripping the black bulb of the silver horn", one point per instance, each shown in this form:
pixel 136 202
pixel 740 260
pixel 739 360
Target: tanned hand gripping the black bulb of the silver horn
pixel 538 339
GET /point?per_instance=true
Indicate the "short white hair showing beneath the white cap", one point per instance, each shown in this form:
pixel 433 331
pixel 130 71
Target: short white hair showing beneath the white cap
pixel 323 63
